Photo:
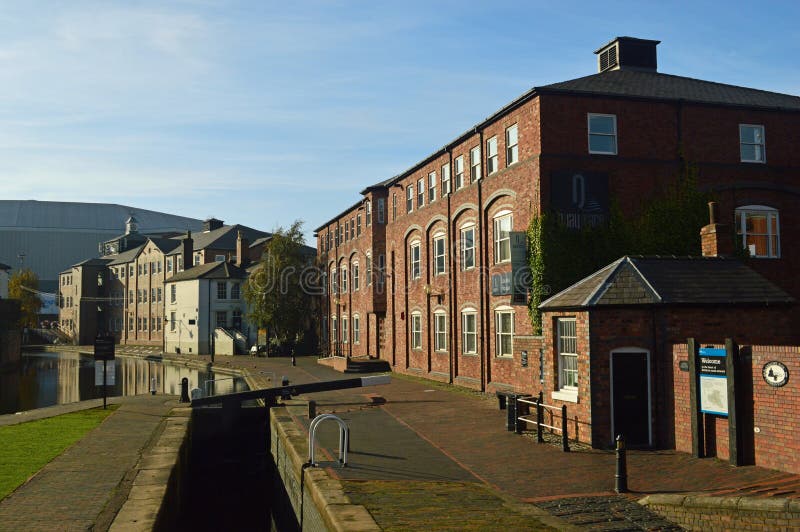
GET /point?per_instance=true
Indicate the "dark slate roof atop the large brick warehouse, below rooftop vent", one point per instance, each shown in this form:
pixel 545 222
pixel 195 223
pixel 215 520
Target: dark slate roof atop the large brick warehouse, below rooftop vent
pixel 639 84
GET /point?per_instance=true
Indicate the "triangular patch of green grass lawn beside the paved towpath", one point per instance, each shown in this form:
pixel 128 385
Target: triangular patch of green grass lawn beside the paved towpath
pixel 27 447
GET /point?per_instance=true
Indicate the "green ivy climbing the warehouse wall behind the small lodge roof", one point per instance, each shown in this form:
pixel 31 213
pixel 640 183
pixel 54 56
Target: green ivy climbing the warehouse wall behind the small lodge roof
pixel 666 225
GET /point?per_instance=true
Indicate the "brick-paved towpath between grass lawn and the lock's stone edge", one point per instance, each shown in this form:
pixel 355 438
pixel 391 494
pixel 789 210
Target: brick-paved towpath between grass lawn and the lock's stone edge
pixel 81 488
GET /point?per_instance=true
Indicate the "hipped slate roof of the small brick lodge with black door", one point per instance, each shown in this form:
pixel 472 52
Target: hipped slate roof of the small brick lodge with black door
pixel 670 281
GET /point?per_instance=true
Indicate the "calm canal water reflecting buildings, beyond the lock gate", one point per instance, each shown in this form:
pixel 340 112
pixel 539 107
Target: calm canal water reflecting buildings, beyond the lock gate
pixel 51 378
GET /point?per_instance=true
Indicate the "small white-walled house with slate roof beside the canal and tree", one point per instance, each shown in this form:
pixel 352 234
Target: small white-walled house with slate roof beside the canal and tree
pixel 205 310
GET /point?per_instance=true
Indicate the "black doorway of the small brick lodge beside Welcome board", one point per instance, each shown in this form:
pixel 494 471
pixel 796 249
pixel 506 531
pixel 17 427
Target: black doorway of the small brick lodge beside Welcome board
pixel 630 397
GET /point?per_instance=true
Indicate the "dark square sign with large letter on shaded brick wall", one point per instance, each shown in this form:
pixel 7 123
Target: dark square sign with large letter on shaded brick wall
pixel 579 199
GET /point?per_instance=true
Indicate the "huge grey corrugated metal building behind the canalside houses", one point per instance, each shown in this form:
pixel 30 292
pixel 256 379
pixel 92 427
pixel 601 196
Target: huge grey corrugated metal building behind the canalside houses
pixel 53 235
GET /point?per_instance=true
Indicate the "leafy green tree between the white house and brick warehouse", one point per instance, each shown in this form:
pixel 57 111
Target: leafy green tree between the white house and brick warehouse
pixel 280 289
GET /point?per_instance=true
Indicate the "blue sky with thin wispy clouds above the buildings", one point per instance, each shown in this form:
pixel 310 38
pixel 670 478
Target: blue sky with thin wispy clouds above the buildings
pixel 264 112
